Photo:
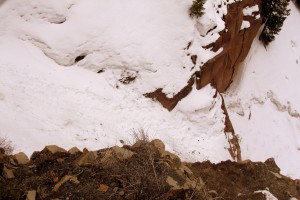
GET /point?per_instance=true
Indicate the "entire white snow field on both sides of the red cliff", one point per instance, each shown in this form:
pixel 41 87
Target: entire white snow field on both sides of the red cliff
pixel 48 98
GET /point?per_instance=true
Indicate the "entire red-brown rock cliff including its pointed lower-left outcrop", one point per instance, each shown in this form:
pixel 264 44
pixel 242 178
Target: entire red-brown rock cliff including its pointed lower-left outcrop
pixel 242 23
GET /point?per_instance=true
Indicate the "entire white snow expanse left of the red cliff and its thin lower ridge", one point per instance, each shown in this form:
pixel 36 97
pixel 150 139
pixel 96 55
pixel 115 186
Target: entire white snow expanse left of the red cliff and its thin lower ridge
pixel 46 98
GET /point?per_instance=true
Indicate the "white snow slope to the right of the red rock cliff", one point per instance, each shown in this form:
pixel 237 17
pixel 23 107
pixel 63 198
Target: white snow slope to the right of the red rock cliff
pixel 263 102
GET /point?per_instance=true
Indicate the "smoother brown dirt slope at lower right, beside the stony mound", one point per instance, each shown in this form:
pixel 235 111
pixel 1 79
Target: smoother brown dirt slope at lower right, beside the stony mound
pixel 231 180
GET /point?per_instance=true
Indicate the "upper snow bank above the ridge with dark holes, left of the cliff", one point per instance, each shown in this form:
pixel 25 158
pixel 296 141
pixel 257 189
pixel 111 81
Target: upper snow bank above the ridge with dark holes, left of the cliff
pixel 116 35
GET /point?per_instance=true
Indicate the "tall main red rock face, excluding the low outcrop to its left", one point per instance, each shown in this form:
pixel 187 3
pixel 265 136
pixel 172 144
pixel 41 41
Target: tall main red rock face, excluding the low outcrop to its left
pixel 236 43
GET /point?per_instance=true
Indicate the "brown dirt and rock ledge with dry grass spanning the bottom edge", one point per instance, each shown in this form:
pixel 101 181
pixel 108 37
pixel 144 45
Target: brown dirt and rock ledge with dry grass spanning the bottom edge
pixel 144 170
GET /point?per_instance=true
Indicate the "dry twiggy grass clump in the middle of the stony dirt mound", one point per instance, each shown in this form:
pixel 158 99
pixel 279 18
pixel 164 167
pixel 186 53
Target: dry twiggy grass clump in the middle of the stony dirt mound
pixel 142 176
